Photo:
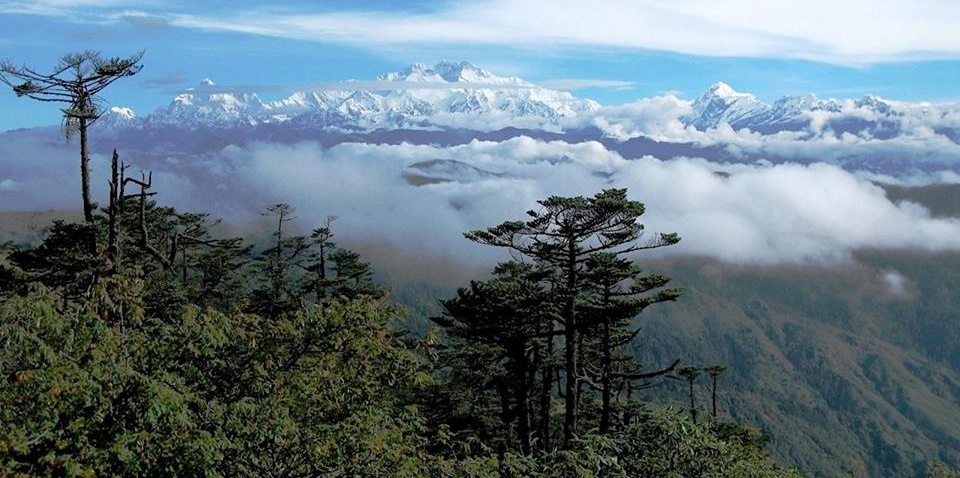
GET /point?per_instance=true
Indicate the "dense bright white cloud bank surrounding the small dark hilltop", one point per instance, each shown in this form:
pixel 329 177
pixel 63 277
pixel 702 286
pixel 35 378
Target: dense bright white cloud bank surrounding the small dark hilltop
pixel 751 214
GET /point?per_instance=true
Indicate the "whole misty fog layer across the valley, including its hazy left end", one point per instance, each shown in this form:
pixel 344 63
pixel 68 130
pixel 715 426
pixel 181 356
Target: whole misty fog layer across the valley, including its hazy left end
pixel 421 198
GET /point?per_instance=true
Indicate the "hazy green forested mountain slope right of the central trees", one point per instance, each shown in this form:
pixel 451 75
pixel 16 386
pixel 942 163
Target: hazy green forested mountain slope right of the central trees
pixel 844 371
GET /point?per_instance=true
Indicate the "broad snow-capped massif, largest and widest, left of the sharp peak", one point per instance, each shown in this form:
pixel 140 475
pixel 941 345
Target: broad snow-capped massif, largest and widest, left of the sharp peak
pixel 421 95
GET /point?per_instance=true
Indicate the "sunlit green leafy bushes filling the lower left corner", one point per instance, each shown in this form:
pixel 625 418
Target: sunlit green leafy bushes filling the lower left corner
pixel 209 394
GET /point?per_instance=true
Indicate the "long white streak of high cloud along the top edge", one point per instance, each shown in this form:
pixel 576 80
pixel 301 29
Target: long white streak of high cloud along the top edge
pixel 856 31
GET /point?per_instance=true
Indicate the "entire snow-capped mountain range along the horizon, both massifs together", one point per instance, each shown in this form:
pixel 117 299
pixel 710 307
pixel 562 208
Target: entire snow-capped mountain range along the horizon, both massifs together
pixel 461 95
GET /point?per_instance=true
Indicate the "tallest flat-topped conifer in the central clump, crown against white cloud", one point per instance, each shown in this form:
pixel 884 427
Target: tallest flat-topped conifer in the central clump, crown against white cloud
pixel 564 234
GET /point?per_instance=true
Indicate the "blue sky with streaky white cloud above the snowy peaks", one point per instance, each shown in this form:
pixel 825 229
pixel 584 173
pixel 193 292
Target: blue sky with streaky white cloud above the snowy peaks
pixel 611 51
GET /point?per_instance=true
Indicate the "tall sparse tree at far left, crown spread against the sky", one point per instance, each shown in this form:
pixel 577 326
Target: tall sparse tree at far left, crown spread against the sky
pixel 76 81
